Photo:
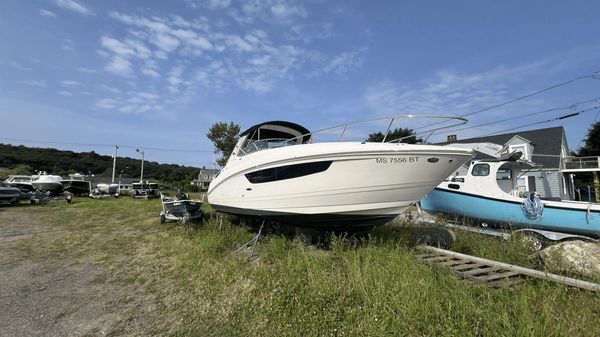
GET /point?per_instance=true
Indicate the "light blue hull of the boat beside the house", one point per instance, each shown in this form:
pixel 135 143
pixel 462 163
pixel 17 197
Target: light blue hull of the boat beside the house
pixel 505 212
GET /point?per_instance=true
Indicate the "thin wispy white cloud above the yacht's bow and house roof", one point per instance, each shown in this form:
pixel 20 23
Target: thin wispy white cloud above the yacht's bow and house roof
pixel 451 93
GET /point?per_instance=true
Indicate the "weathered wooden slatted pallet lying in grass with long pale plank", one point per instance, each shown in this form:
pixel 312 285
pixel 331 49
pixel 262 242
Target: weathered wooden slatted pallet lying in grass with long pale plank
pixel 493 273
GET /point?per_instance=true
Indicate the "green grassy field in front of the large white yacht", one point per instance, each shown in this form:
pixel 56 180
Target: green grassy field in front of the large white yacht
pixel 370 287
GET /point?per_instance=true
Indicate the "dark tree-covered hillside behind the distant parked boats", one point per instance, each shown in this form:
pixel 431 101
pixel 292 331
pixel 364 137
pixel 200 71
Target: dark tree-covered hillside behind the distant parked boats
pixel 62 162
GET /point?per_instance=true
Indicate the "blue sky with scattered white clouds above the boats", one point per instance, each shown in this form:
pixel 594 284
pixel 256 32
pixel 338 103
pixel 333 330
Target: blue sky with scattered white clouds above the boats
pixel 86 75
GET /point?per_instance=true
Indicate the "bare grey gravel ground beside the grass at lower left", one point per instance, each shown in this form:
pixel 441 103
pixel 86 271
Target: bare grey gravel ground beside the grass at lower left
pixel 53 292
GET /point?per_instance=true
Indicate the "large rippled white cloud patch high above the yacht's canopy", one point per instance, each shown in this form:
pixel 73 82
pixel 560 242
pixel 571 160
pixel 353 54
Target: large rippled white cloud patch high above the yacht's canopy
pixel 218 58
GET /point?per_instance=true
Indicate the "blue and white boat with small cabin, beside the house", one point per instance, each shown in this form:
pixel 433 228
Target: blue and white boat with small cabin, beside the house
pixel 488 193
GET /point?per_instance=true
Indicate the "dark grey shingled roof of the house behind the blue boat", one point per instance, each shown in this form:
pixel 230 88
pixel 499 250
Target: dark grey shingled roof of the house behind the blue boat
pixel 545 142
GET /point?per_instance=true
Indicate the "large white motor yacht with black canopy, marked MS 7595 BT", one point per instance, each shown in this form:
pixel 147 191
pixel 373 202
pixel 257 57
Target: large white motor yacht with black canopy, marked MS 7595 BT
pixel 278 173
